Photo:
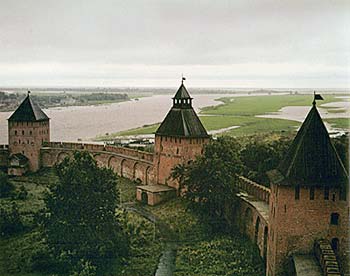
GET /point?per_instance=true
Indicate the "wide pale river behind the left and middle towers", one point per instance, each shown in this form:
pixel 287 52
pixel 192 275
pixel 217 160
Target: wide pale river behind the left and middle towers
pixel 86 122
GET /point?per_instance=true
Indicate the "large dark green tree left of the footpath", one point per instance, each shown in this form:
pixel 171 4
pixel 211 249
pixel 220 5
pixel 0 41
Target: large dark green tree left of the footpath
pixel 81 223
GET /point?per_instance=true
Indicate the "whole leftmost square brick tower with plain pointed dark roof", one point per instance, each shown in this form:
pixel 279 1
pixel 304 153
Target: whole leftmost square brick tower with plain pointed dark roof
pixel 28 128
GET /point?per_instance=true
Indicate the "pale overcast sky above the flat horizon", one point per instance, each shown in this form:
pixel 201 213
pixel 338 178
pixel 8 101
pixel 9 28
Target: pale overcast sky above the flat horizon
pixel 150 43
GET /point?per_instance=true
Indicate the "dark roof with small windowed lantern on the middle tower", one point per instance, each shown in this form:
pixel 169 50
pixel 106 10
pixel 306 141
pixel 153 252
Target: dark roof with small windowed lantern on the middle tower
pixel 182 120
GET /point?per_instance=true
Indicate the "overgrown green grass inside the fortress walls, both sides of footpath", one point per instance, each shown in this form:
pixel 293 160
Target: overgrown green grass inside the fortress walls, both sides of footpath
pixel 199 252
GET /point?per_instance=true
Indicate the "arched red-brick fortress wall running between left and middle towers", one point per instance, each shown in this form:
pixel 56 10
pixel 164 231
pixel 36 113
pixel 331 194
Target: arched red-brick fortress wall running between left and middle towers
pixel 133 164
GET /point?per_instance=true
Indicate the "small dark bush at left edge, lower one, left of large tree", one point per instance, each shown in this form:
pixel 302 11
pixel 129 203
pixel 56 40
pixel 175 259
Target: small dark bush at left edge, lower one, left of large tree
pixel 10 221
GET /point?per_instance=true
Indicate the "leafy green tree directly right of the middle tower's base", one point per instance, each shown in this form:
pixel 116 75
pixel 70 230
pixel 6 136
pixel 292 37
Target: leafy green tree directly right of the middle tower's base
pixel 209 180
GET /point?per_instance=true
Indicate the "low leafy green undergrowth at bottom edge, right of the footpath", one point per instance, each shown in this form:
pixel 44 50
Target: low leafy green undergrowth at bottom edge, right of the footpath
pixel 221 255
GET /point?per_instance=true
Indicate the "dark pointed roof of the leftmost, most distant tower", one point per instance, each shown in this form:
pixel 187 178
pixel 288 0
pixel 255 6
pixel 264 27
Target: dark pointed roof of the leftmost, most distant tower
pixel 28 111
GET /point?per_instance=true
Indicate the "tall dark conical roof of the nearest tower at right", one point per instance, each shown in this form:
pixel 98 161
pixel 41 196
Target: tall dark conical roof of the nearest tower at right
pixel 312 158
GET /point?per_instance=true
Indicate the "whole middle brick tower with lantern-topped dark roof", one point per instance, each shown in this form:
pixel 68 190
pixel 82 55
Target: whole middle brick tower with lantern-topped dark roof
pixel 179 138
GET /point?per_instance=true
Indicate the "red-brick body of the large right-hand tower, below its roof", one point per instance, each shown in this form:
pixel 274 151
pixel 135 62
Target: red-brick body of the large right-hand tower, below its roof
pixel 295 224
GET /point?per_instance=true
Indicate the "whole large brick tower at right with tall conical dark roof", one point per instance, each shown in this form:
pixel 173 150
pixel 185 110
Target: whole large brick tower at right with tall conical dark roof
pixel 308 198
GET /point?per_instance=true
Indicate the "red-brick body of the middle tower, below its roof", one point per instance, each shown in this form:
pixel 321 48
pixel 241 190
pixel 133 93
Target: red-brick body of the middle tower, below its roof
pixel 171 151
